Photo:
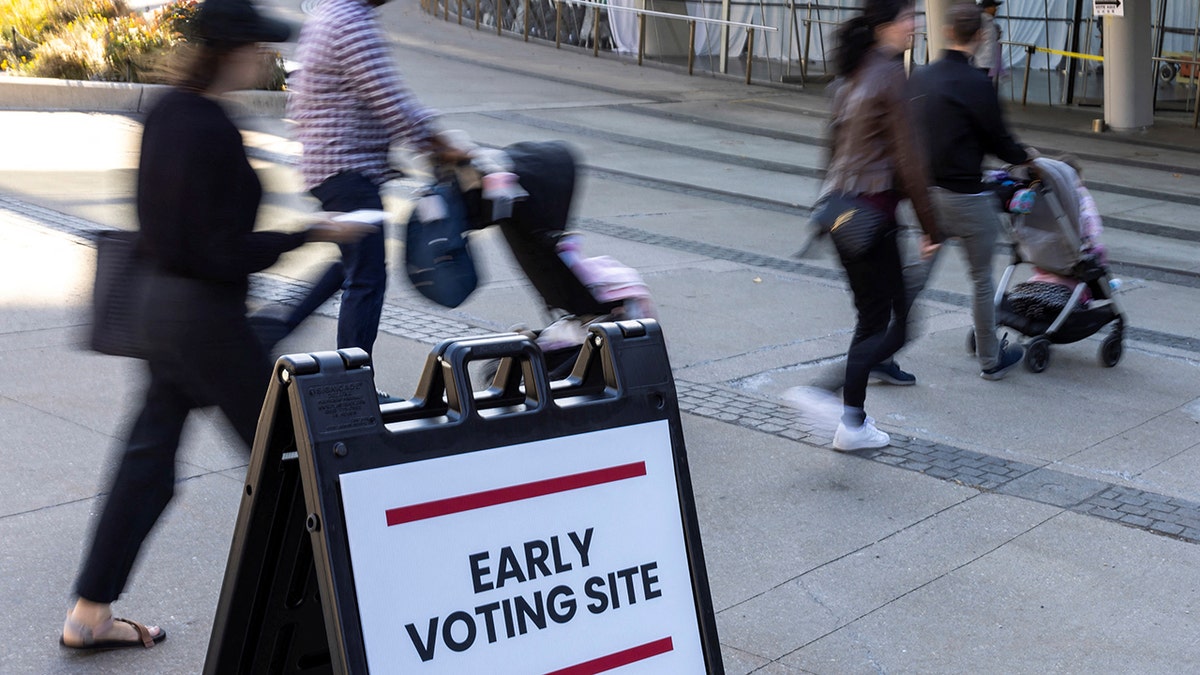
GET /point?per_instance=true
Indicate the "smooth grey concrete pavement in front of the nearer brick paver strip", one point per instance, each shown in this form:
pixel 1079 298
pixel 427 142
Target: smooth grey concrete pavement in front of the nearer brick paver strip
pixel 819 563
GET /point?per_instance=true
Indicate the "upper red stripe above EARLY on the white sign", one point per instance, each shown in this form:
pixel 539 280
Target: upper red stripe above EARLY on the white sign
pixel 514 493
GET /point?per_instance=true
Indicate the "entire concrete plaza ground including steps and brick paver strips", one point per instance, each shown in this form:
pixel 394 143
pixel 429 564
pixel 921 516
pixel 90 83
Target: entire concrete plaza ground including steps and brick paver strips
pixel 1043 524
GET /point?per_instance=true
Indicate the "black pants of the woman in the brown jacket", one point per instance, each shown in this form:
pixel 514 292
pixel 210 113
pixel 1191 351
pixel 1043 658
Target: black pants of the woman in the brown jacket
pixel 883 327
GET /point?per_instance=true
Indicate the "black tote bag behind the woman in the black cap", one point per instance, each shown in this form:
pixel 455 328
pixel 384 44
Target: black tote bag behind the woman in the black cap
pixel 117 296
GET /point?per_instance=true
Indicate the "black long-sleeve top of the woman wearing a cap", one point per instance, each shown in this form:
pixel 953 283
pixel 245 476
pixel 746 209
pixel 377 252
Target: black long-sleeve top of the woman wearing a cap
pixel 199 196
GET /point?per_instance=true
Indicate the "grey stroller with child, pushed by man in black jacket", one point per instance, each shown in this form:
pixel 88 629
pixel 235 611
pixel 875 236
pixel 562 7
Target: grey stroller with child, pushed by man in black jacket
pixel 1055 228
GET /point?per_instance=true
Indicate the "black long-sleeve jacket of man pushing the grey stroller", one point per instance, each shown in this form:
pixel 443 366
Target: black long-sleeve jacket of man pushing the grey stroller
pixel 958 114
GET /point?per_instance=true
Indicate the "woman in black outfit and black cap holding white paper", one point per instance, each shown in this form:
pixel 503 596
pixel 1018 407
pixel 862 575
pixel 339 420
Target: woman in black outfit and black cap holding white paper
pixel 197 202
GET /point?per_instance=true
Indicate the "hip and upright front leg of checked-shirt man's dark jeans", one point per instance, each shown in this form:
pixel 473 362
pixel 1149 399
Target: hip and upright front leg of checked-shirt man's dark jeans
pixel 367 271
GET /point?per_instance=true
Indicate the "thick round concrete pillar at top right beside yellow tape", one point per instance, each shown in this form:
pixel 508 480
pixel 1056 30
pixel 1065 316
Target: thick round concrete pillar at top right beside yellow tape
pixel 1129 70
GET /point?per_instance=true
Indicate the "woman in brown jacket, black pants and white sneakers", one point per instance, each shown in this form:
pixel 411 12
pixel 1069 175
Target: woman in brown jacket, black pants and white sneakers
pixel 875 157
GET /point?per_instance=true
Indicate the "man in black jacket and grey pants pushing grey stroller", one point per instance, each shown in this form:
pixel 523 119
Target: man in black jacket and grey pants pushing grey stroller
pixel 959 116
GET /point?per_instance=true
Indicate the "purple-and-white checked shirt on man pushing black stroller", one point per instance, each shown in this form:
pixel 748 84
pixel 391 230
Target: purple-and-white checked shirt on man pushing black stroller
pixel 350 101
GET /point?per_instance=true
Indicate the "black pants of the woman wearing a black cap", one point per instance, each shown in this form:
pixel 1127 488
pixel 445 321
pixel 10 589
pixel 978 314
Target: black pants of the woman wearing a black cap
pixel 203 354
